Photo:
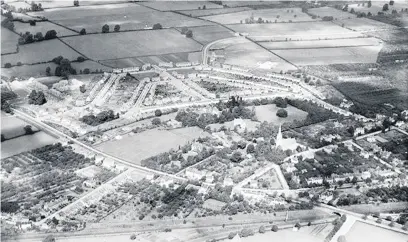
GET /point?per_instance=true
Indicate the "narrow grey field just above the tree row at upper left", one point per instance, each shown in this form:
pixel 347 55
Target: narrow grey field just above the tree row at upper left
pixel 42 27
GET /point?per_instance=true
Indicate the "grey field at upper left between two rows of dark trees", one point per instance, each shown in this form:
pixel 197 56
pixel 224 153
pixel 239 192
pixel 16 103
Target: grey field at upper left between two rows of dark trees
pixel 38 52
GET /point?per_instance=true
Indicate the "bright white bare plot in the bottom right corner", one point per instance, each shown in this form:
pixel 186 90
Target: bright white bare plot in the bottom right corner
pixel 364 232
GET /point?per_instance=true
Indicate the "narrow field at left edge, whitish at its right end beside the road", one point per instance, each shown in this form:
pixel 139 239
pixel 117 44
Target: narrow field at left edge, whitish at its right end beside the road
pixel 25 143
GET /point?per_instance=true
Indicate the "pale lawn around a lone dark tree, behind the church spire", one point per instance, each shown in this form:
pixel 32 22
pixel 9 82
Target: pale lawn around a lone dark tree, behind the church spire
pixel 268 113
